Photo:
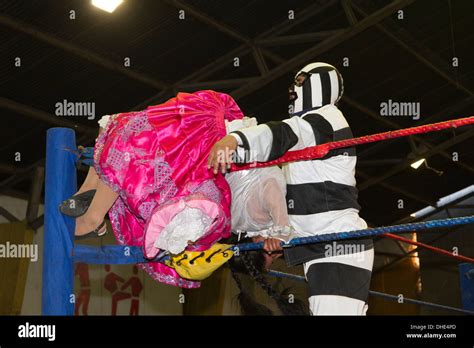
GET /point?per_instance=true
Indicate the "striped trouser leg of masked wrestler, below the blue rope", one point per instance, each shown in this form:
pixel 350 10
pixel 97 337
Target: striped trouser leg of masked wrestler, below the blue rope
pixel 339 285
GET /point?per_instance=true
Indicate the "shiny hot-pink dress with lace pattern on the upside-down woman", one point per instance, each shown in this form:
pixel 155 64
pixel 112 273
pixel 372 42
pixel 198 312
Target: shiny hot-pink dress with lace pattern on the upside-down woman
pixel 156 160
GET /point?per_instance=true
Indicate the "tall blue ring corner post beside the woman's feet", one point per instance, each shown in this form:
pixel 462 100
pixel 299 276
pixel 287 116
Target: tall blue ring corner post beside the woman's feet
pixel 60 183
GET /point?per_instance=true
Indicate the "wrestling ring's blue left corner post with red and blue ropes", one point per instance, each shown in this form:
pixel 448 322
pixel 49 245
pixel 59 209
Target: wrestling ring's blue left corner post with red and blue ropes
pixel 60 251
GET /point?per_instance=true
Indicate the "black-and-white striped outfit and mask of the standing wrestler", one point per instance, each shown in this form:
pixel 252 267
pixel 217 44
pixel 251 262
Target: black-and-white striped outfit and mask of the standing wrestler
pixel 321 194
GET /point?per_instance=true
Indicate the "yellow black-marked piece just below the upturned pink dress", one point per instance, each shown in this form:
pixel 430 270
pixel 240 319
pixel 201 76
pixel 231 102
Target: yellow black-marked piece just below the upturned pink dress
pixel 198 265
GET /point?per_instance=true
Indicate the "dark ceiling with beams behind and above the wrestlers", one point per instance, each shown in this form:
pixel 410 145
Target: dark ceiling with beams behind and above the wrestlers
pixel 408 60
